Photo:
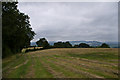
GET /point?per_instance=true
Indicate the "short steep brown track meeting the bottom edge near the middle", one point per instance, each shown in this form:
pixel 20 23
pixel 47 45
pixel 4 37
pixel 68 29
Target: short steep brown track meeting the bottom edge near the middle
pixel 52 71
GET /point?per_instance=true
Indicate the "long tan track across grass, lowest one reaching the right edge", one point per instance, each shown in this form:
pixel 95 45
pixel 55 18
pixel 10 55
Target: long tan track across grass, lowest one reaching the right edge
pixel 85 65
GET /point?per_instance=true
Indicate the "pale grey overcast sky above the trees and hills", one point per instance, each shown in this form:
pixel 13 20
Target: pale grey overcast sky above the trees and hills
pixel 96 21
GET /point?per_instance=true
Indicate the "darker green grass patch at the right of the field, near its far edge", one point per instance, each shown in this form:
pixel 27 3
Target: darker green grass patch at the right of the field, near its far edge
pixel 96 55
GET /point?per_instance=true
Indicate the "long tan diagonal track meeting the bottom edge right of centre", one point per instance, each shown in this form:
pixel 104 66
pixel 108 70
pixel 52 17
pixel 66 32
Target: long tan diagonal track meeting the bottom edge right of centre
pixel 75 70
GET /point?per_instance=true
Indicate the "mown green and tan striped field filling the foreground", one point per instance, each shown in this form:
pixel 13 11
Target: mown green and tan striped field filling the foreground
pixel 63 63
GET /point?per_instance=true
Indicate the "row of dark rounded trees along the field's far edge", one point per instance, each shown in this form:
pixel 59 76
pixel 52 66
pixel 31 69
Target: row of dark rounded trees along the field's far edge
pixel 44 43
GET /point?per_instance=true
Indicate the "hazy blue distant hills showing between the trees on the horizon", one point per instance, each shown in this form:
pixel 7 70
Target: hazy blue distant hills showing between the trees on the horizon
pixel 91 43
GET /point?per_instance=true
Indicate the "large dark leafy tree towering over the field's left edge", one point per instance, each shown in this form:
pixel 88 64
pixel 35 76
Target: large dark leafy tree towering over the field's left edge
pixel 16 31
